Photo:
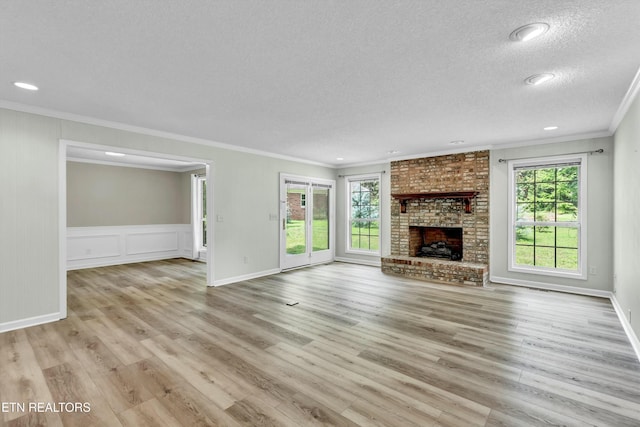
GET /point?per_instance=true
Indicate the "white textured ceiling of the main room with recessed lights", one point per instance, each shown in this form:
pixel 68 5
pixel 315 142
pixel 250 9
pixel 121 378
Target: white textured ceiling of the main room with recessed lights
pixel 318 80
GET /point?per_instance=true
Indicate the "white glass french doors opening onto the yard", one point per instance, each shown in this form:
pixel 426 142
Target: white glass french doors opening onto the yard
pixel 307 212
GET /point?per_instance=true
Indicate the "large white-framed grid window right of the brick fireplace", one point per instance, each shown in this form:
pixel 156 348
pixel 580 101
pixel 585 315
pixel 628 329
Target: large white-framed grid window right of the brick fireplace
pixel 547 231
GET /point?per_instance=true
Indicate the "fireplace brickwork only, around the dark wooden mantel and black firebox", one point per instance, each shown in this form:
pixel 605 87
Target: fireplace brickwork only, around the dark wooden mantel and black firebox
pixel 450 173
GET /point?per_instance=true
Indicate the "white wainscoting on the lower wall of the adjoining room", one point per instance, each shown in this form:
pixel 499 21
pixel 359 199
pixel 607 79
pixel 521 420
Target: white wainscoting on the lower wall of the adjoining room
pixel 100 246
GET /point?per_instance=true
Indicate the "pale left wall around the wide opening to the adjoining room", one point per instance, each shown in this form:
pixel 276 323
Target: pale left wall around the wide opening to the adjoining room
pixel 245 194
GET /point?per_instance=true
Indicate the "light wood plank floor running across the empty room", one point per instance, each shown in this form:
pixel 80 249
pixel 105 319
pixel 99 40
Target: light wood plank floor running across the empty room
pixel 149 344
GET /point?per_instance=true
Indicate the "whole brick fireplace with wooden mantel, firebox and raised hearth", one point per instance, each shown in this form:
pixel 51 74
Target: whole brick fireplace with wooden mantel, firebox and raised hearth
pixel 437 203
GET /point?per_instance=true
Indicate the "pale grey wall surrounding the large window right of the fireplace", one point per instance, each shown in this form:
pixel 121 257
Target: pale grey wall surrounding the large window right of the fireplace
pixel 599 216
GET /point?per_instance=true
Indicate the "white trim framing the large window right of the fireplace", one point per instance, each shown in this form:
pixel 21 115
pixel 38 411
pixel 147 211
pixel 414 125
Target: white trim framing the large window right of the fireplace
pixel 581 272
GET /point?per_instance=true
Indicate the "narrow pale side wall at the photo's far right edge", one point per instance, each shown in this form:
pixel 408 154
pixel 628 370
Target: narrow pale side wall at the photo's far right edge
pixel 627 215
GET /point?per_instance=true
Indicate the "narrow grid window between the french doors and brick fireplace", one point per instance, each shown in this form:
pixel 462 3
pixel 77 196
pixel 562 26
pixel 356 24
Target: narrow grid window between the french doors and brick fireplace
pixel 364 214
